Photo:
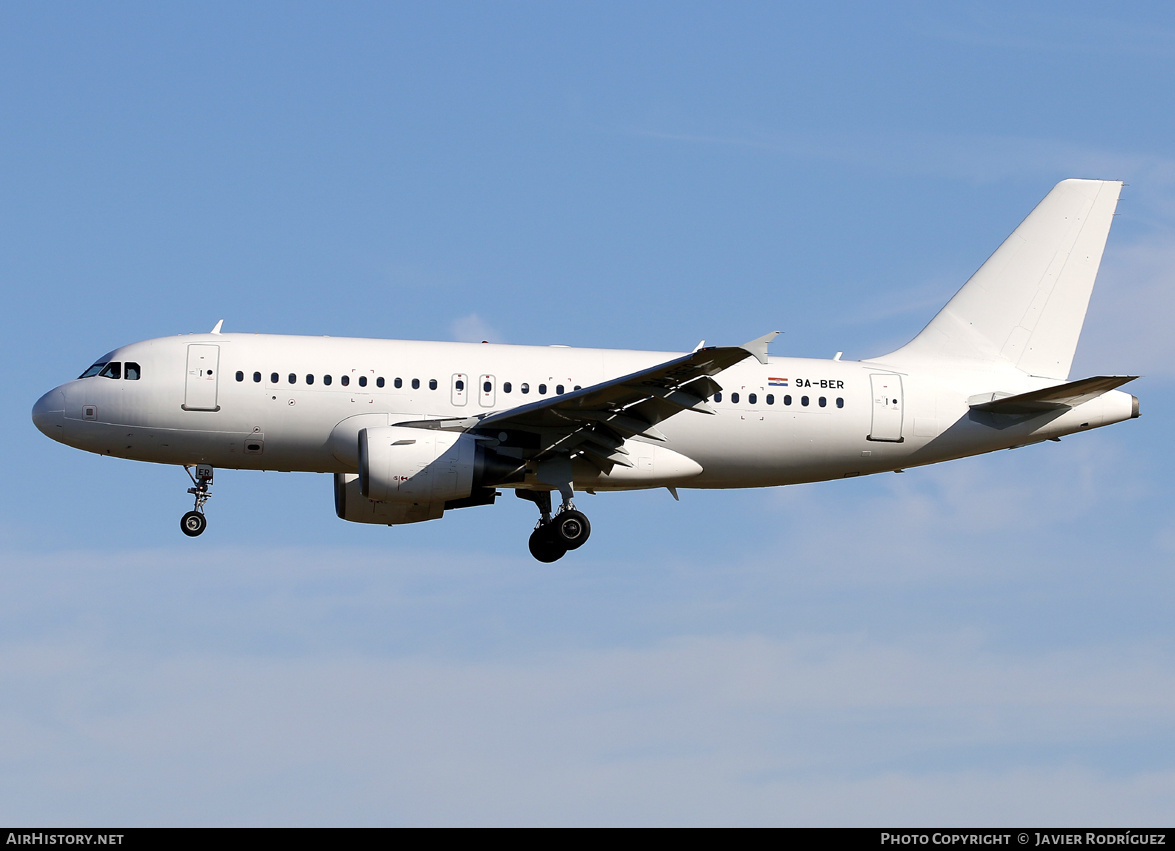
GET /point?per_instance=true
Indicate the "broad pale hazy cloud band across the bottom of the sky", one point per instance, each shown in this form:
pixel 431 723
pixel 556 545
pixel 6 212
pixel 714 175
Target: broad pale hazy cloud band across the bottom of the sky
pixel 829 729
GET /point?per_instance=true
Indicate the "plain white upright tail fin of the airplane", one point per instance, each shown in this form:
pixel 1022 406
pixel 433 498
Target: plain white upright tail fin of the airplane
pixel 1028 304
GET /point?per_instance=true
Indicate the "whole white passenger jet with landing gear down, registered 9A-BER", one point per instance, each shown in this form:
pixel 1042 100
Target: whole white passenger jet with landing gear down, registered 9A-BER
pixel 413 430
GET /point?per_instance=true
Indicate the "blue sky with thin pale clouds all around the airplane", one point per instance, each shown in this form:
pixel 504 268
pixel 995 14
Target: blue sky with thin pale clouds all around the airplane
pixel 985 642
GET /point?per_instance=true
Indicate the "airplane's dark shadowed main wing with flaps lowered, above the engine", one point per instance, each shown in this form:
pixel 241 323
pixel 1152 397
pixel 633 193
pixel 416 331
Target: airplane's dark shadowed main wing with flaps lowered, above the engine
pixel 595 421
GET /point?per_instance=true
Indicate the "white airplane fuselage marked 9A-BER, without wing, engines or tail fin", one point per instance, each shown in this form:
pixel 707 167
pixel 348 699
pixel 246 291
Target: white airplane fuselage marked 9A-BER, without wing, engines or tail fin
pixel 264 403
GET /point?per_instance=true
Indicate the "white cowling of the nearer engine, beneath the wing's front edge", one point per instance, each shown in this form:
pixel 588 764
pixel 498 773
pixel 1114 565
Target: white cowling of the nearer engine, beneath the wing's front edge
pixel 417 466
